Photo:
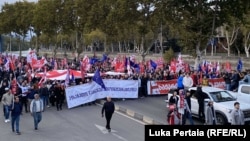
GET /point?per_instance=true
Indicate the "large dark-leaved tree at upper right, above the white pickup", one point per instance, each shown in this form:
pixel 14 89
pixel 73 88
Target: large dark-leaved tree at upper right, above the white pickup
pixel 196 20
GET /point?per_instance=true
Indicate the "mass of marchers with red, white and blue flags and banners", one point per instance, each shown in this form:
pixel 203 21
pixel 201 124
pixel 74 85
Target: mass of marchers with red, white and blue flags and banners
pixel 90 78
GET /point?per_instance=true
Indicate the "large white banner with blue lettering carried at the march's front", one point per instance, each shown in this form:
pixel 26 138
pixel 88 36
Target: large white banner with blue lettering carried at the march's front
pixel 81 94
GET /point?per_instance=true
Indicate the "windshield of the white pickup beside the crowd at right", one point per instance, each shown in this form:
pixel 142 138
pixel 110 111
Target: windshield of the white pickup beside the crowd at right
pixel 222 96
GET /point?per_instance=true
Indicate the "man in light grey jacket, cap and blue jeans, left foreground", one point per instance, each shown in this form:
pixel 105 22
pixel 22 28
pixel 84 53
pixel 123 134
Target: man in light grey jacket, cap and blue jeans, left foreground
pixel 36 109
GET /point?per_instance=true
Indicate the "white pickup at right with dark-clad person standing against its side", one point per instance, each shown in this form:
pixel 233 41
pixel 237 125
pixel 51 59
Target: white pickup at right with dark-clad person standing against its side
pixel 223 104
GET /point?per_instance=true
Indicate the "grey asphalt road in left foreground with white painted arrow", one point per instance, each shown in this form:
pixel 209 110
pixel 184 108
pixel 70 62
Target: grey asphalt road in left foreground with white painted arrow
pixel 77 124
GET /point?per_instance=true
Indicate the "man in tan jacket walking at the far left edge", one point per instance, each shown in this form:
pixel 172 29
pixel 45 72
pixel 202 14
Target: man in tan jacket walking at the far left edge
pixel 7 100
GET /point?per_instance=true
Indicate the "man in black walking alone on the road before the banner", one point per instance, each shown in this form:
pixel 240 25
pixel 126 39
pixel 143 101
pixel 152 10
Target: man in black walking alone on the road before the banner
pixel 108 108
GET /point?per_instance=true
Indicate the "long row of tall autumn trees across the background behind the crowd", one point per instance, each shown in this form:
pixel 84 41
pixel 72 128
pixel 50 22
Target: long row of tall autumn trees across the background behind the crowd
pixel 121 22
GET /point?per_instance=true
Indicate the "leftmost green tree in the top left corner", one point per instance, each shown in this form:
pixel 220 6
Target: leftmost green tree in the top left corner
pixel 16 18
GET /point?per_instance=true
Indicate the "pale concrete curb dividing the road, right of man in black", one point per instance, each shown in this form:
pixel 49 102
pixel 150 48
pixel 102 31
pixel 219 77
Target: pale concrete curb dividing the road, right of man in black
pixel 134 114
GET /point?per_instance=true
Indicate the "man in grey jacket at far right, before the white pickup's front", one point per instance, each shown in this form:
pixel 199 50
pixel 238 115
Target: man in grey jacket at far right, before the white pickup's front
pixel 237 115
